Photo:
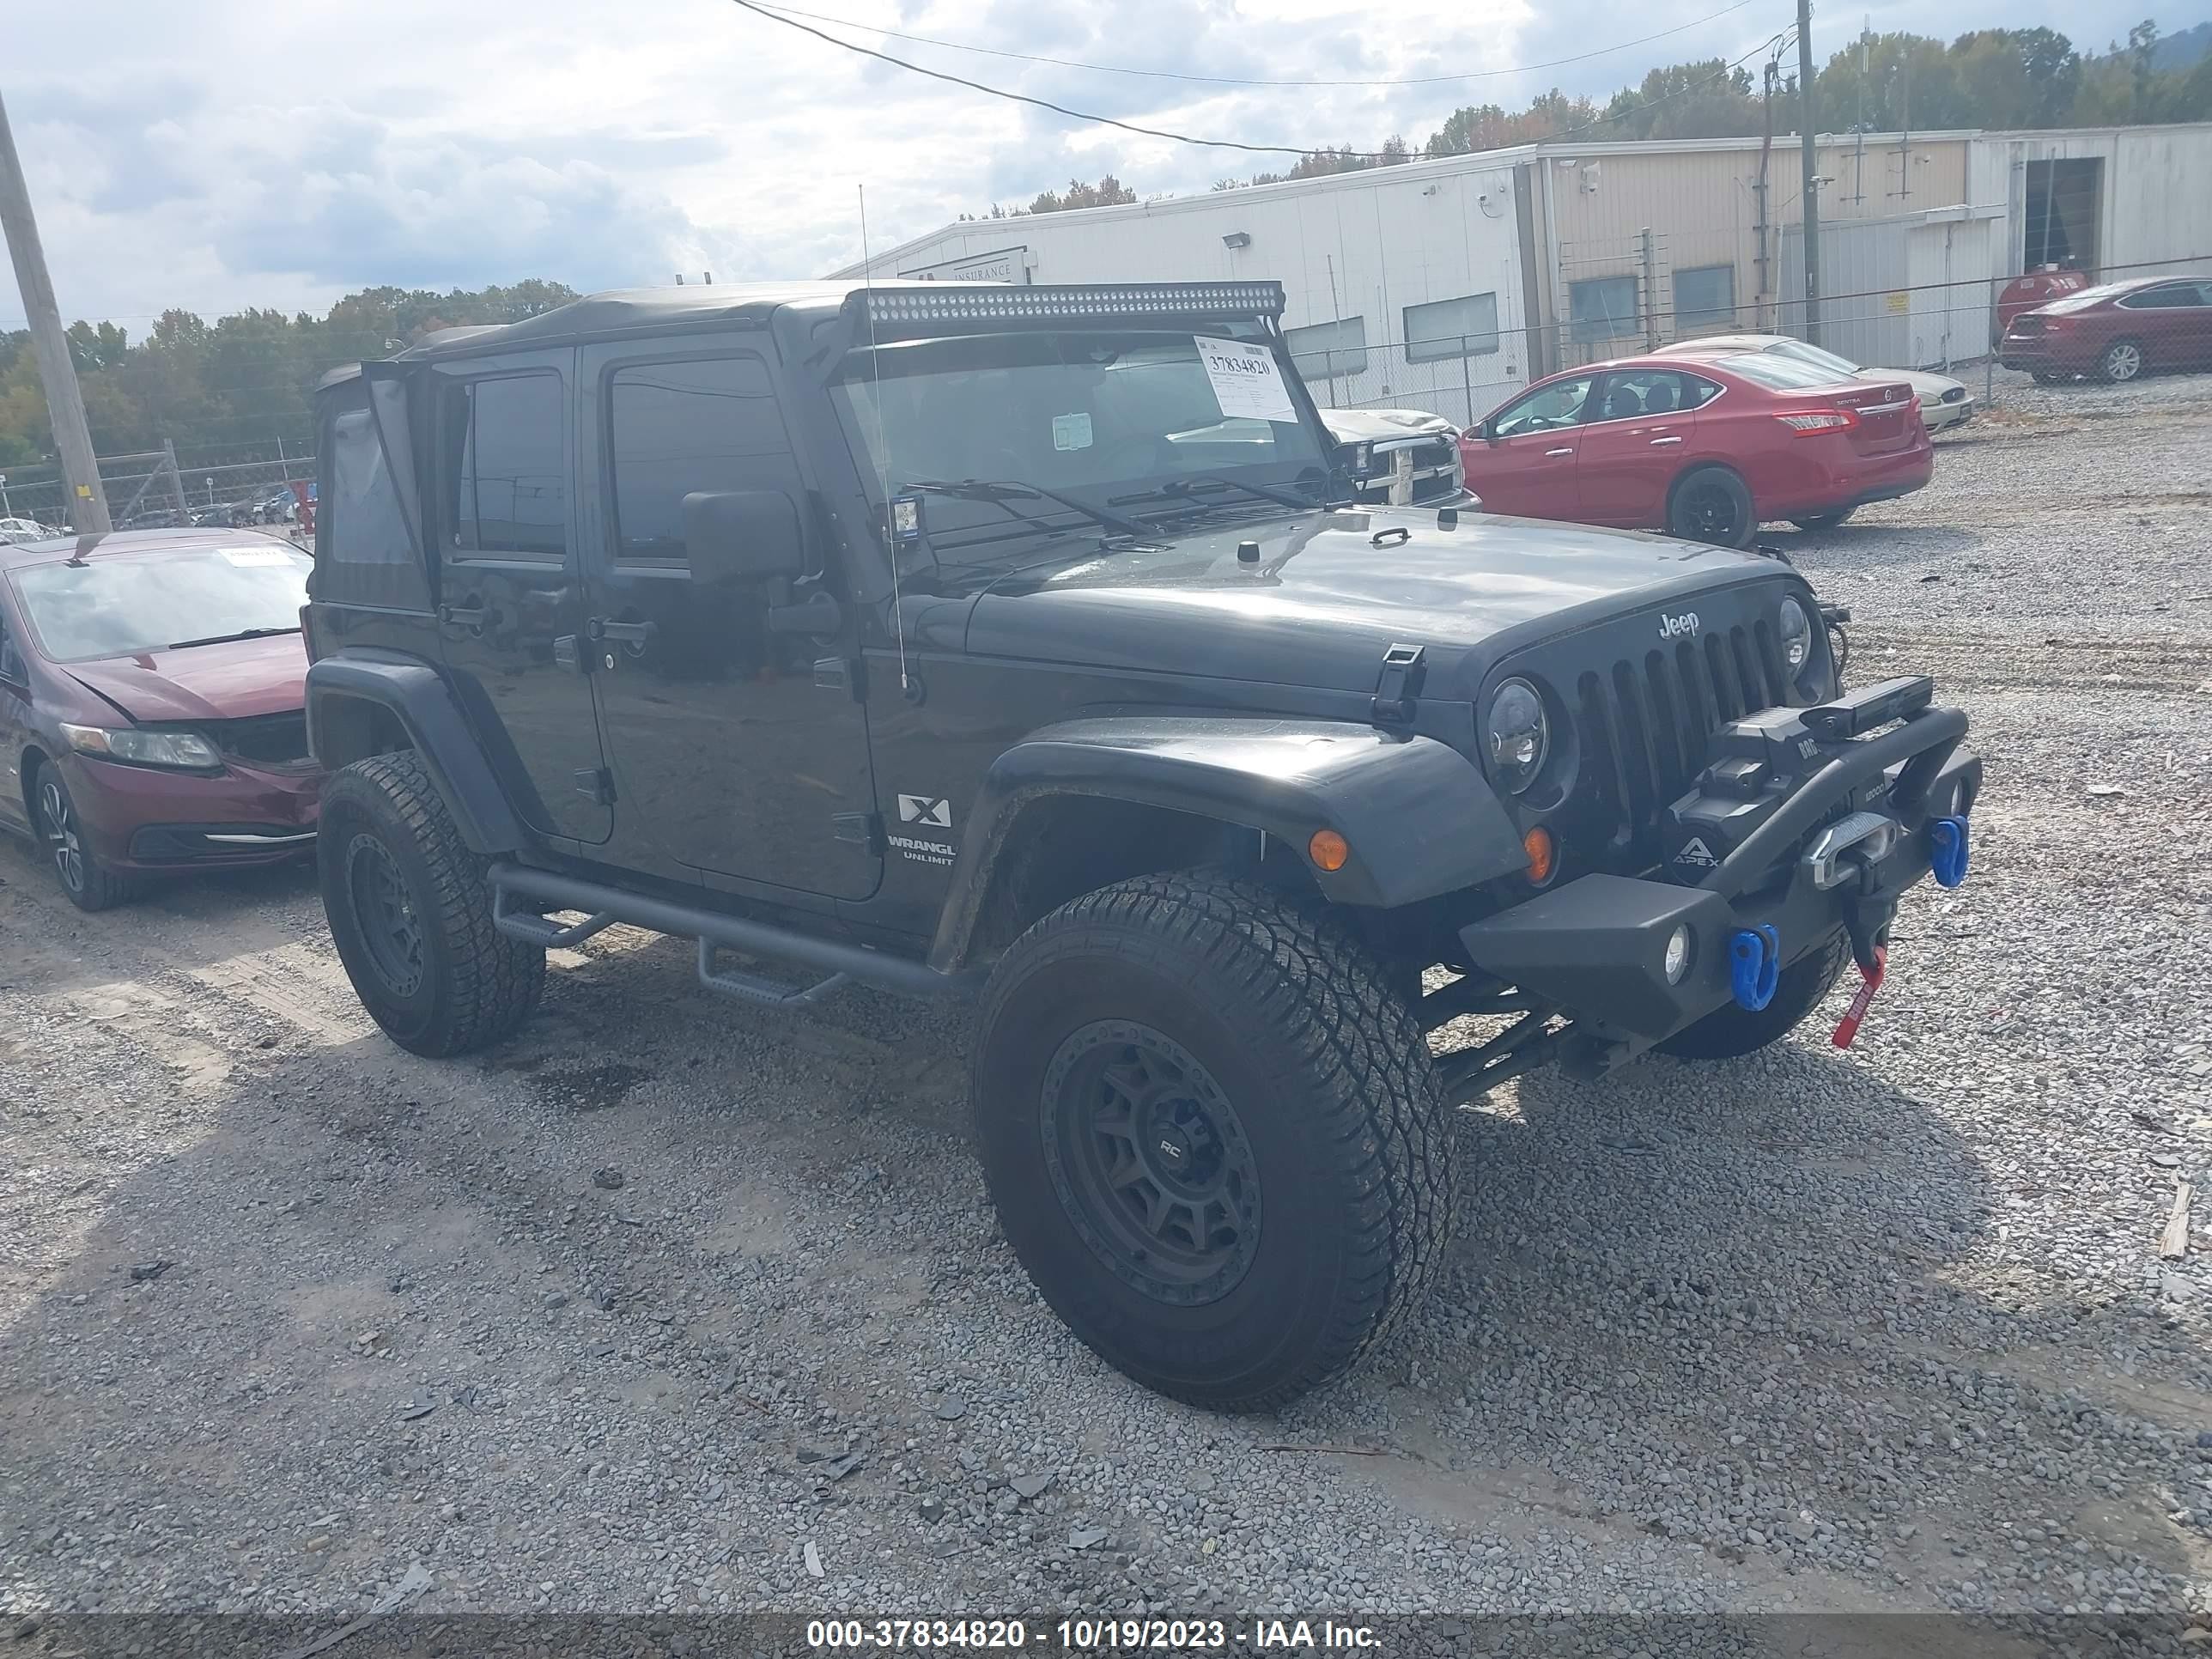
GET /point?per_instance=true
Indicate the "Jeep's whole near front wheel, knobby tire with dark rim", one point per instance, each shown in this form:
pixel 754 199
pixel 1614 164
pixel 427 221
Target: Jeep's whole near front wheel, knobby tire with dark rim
pixel 1213 1136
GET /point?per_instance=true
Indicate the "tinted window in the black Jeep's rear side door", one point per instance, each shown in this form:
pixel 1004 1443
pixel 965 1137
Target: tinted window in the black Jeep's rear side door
pixel 508 477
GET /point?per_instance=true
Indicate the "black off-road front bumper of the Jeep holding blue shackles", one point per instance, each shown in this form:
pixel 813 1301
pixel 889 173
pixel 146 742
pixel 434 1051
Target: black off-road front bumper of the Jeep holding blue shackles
pixel 1596 948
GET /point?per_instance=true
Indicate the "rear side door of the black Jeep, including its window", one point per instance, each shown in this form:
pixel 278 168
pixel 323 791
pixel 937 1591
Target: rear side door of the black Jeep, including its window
pixel 510 603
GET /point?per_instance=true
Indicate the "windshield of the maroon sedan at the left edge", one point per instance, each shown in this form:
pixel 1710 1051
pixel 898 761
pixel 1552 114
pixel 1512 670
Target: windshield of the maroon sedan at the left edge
pixel 127 607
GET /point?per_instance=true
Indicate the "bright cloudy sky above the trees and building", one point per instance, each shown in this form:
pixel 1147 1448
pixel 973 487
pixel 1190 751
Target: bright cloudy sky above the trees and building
pixel 255 154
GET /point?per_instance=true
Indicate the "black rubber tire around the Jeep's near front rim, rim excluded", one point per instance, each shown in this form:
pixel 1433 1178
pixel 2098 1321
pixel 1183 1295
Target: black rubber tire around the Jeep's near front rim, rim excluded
pixel 1328 1072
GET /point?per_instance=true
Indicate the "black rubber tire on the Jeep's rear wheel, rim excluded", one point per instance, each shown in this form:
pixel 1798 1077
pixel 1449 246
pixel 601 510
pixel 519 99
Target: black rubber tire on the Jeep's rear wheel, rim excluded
pixel 477 985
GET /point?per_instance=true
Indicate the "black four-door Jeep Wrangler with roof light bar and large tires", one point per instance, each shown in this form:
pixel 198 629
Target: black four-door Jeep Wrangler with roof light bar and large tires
pixel 1021 647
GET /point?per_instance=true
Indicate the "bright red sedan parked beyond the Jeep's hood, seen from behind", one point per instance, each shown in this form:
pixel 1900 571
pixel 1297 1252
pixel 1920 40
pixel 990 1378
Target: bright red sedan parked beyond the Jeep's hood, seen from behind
pixel 1700 448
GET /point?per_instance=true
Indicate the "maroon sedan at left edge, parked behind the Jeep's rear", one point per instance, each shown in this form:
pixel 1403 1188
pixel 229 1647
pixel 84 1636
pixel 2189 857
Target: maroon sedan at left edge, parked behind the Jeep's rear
pixel 152 705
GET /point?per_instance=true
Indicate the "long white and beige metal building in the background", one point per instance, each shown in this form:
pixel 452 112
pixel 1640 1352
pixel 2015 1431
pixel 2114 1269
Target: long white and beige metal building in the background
pixel 1448 284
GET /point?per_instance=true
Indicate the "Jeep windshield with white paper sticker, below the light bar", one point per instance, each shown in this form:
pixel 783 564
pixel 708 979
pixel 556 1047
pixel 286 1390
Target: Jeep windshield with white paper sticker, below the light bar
pixel 1096 417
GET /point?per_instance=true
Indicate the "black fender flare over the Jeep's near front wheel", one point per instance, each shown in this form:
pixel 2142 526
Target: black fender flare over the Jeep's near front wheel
pixel 1419 817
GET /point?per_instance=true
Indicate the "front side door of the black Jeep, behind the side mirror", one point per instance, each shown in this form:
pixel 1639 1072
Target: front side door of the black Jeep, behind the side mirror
pixel 731 751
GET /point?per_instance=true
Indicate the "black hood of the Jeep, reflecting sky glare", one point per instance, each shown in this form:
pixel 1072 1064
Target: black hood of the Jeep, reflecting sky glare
pixel 1324 598
